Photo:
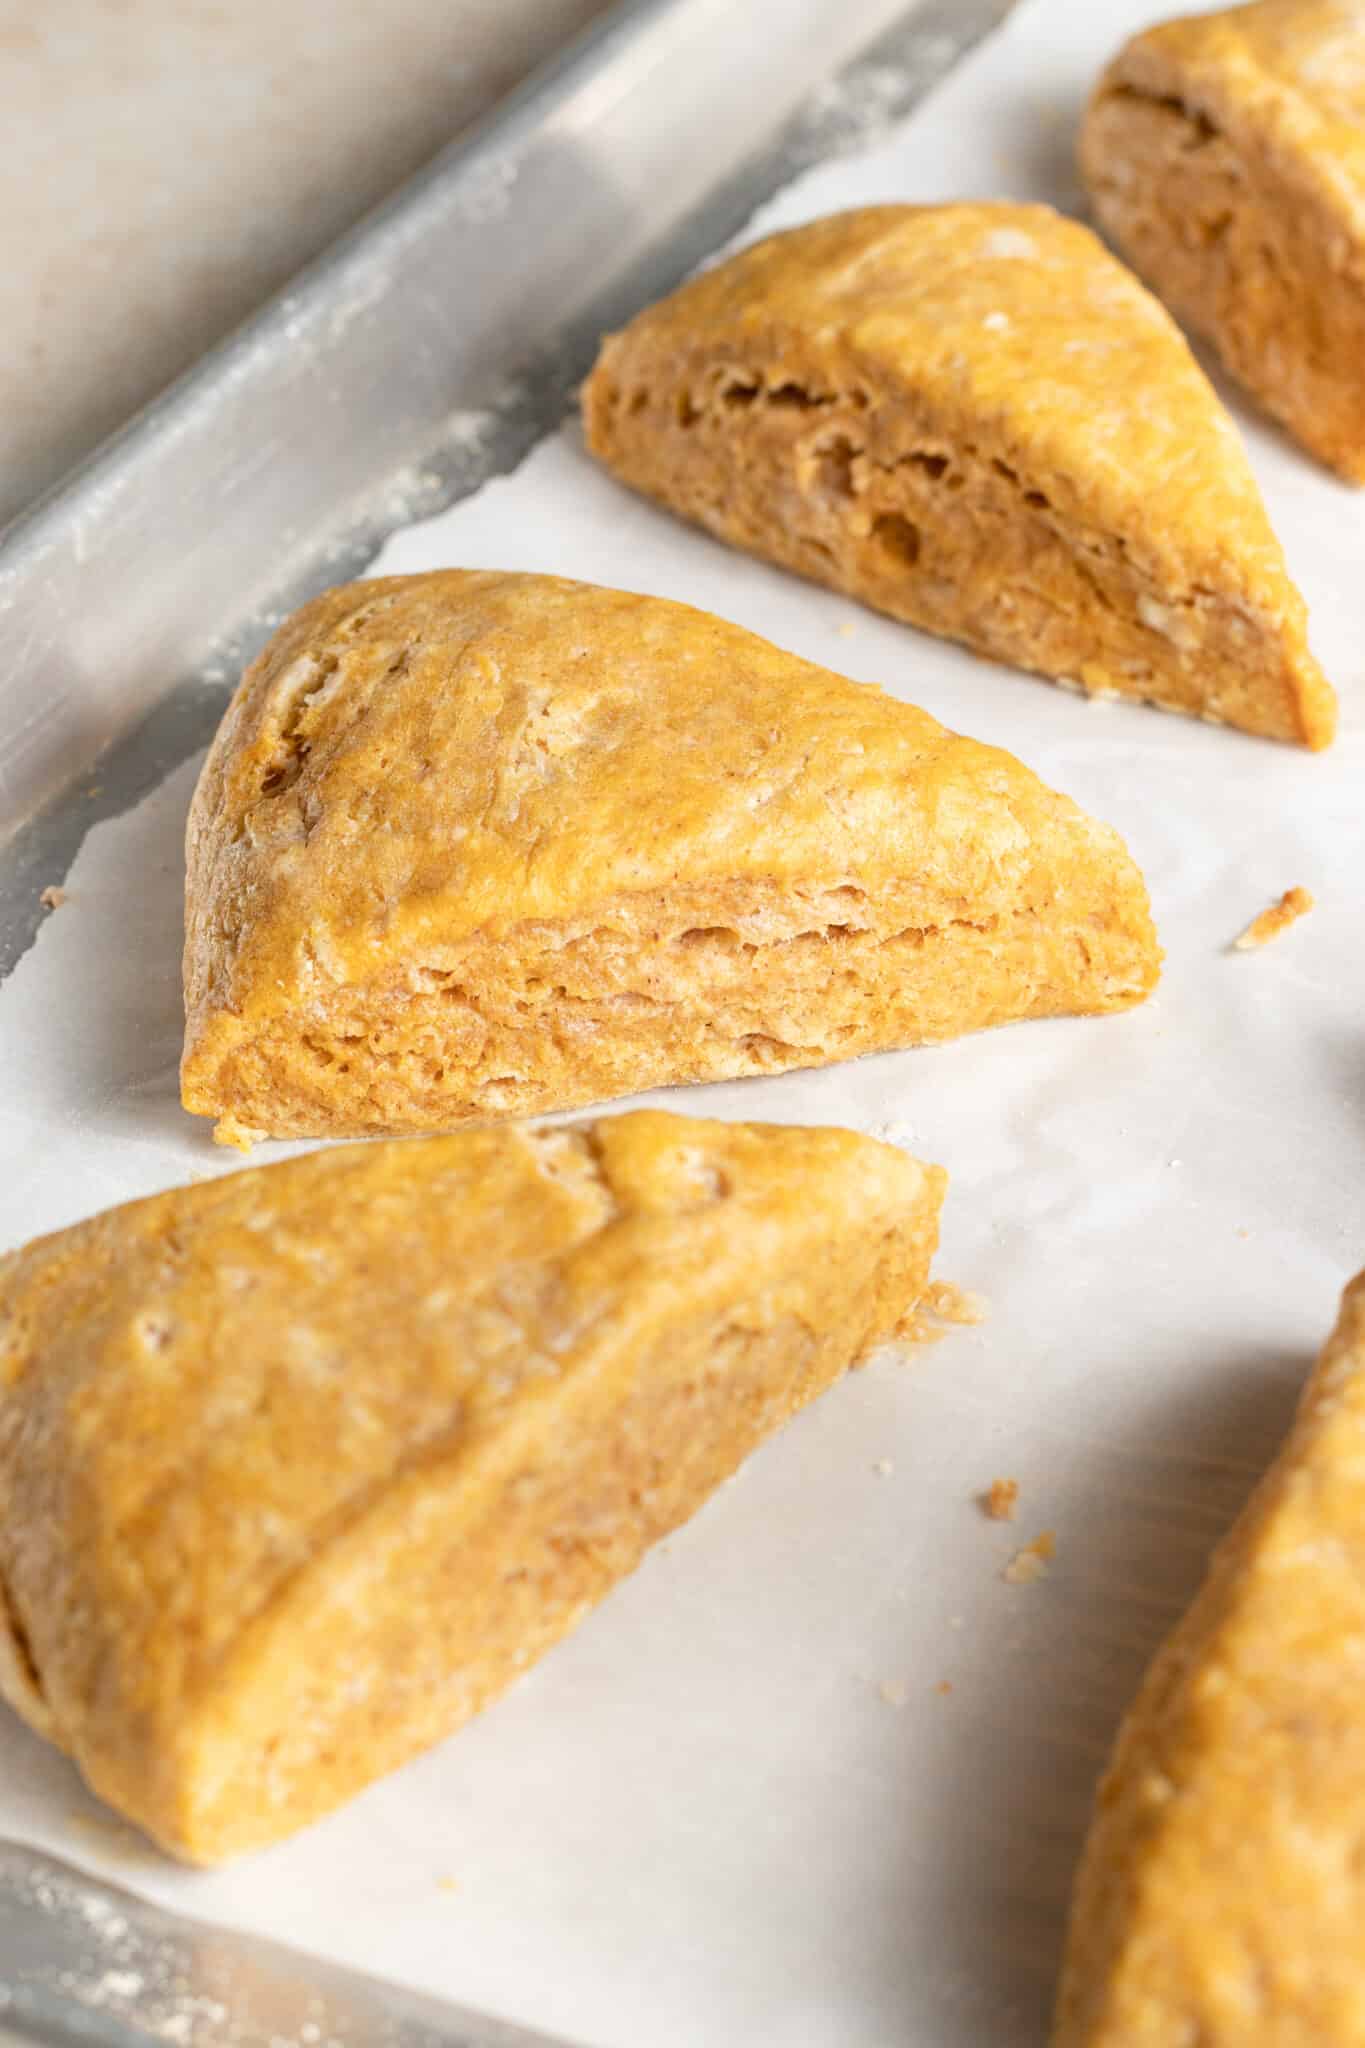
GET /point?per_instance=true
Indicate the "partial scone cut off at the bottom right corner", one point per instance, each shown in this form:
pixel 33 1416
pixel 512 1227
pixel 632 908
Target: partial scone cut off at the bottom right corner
pixel 1223 1891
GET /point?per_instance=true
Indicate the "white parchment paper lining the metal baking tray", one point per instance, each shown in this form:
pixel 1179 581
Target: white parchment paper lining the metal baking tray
pixel 742 1805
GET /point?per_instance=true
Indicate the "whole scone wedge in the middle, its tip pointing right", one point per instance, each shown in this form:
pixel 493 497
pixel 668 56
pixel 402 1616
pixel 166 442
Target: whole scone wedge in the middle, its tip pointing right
pixel 476 845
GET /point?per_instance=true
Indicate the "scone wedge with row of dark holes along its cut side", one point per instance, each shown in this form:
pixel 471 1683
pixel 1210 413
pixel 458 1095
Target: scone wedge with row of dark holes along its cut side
pixel 977 421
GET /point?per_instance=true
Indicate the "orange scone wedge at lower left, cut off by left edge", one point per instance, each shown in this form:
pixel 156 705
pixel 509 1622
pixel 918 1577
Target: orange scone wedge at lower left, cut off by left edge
pixel 304 1465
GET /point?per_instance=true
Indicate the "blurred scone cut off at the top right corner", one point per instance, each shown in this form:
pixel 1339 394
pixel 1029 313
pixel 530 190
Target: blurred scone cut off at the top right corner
pixel 1227 159
